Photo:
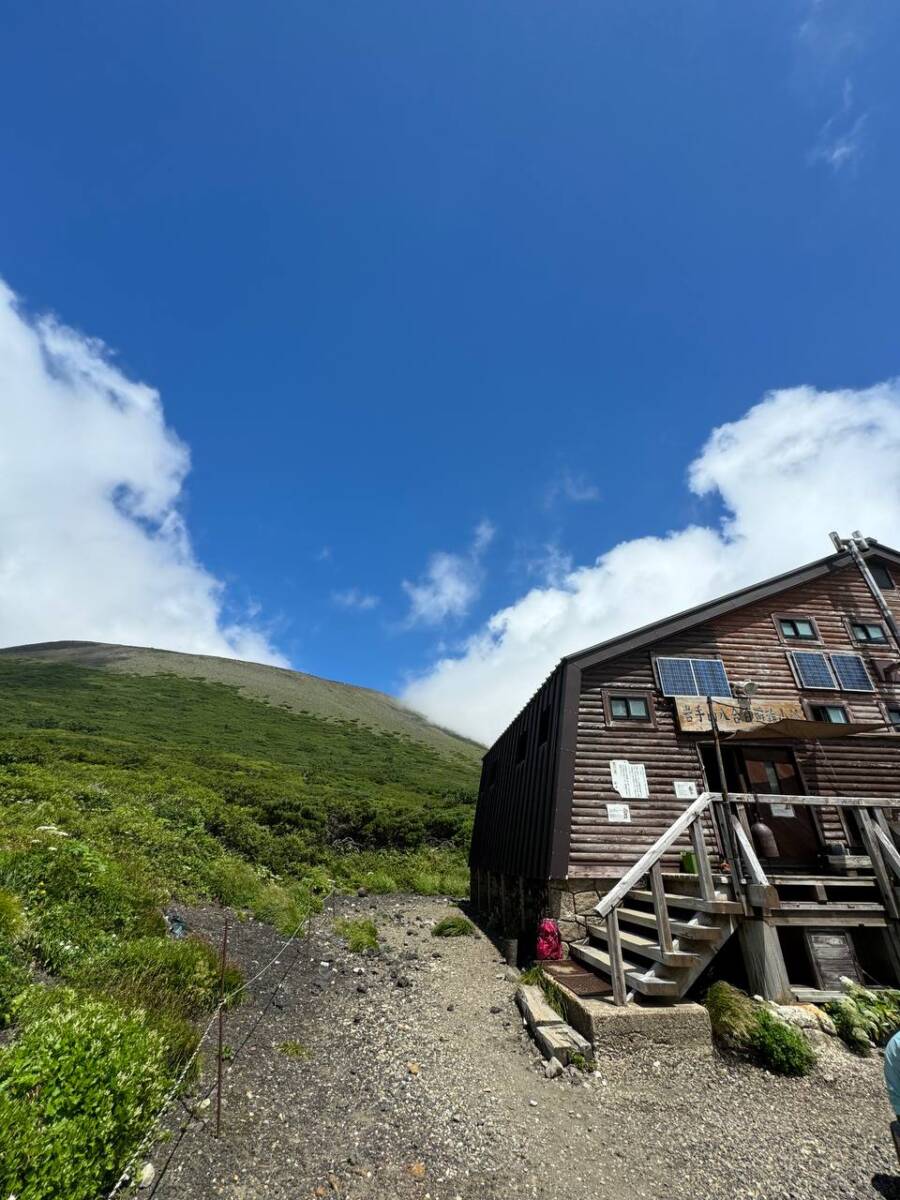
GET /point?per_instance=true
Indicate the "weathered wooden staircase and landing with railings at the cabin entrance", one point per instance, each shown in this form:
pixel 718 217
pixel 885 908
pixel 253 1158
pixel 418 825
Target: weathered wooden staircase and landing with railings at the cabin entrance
pixel 655 934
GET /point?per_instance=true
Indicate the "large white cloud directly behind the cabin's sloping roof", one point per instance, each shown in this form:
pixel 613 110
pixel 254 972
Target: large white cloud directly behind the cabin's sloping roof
pixel 797 465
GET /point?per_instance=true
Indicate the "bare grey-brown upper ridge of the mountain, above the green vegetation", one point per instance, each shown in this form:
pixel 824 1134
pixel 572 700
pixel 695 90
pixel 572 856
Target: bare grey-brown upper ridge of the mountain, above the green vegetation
pixel 292 689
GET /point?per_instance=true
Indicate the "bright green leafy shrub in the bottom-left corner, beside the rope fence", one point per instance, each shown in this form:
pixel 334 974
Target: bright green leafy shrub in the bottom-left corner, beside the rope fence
pixel 79 1088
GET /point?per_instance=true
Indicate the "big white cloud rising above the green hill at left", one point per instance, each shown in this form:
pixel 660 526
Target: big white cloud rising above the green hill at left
pixel 93 544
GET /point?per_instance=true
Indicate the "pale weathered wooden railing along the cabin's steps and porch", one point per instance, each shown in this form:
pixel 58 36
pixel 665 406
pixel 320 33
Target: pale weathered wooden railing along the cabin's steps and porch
pixel 751 883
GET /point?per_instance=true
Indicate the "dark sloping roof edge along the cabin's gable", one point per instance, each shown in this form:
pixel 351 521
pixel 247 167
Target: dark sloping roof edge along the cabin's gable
pixel 662 629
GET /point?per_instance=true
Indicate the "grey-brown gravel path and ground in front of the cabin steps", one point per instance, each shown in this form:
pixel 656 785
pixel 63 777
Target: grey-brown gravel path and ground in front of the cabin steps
pixel 419 1081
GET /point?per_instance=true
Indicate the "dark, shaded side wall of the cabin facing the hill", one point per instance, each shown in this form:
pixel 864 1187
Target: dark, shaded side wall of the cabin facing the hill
pixel 514 820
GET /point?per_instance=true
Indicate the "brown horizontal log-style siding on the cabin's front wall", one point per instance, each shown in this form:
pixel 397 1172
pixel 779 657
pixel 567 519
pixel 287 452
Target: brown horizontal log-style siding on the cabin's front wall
pixel 749 646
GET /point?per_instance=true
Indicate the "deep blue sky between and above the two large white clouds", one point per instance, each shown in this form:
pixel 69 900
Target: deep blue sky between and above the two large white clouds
pixel 470 279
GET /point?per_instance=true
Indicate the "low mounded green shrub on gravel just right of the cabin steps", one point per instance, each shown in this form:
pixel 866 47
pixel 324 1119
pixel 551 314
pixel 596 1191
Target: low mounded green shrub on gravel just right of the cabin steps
pixel 746 1027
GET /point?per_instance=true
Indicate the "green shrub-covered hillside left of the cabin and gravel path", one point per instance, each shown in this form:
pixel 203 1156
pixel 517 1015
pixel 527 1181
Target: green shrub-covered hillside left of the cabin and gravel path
pixel 122 791
